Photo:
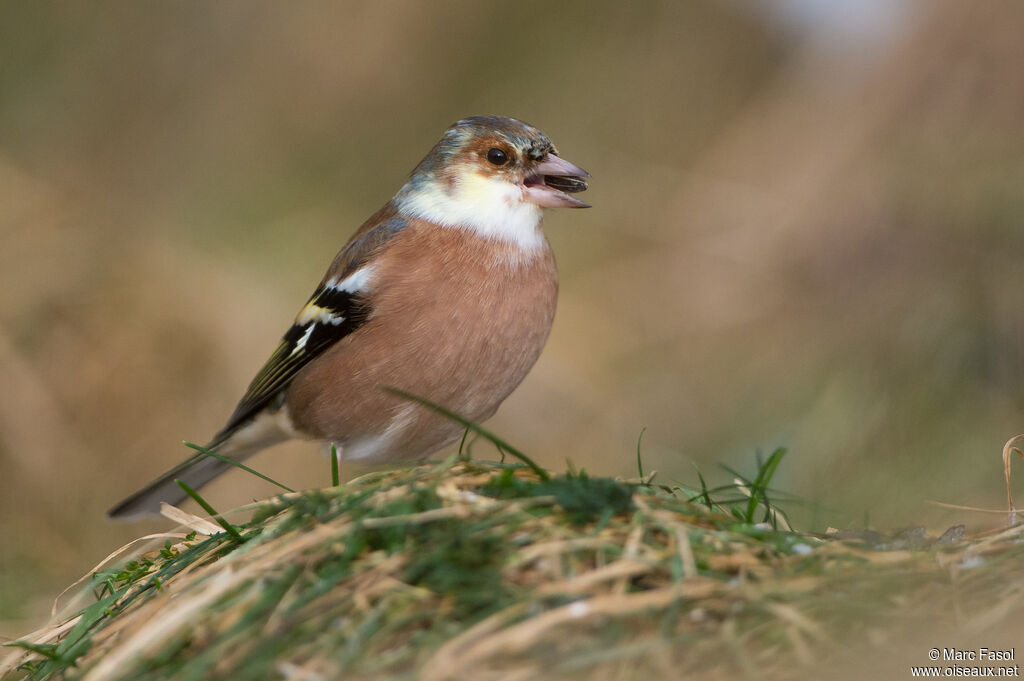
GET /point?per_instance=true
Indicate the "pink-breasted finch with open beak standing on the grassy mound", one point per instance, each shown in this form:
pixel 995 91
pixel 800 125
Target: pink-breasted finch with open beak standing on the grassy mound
pixel 448 293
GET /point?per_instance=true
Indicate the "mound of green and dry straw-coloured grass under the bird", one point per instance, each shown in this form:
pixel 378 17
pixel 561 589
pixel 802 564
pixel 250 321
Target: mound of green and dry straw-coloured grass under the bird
pixel 477 571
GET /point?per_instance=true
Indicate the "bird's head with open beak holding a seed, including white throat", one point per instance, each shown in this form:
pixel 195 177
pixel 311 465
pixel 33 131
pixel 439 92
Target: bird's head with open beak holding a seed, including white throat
pixel 493 176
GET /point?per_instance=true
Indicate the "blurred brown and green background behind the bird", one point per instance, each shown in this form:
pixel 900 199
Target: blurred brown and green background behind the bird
pixel 807 232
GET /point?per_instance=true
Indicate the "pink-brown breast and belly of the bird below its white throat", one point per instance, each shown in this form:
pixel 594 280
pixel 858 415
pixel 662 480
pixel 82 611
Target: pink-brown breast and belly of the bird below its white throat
pixel 456 319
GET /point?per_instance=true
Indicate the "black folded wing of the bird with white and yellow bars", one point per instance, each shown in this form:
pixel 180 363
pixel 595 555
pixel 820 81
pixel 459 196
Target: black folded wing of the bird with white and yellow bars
pixel 337 308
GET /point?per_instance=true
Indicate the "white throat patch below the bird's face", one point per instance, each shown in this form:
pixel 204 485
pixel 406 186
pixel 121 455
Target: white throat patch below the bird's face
pixel 490 207
